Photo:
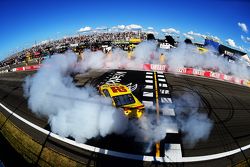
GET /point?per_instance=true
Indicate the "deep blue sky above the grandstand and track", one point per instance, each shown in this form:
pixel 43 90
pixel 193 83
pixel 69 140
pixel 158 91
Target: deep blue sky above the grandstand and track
pixel 23 22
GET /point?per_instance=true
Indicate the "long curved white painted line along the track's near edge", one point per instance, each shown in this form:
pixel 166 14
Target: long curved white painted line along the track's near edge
pixel 126 155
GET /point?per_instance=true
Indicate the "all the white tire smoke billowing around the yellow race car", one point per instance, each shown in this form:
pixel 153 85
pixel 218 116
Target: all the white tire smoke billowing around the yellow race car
pixel 83 114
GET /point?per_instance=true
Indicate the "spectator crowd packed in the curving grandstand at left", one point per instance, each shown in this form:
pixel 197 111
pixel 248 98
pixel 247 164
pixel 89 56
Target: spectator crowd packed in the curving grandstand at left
pixel 87 41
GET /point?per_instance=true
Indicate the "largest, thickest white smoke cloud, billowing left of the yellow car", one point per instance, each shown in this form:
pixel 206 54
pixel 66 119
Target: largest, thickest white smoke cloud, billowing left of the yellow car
pixel 77 112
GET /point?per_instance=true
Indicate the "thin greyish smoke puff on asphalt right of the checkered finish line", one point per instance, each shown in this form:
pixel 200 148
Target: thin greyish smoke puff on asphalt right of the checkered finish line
pixel 196 126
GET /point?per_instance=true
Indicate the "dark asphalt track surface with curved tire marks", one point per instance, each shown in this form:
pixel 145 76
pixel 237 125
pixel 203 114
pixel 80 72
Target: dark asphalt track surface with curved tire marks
pixel 227 105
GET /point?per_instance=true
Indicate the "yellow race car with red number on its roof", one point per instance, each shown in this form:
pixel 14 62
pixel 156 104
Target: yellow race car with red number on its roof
pixel 122 97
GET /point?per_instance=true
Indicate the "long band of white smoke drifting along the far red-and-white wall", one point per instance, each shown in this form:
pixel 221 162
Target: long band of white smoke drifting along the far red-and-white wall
pixel 182 56
